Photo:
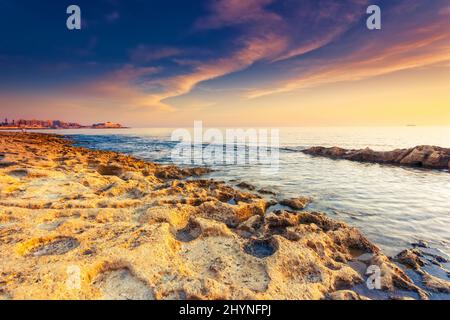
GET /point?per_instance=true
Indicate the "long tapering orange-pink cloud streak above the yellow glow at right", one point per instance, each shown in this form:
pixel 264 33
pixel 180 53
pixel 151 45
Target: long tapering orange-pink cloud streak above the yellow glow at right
pixel 431 46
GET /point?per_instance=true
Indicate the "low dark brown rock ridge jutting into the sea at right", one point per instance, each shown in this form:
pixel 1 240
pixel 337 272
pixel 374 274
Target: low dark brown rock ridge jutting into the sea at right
pixel 421 156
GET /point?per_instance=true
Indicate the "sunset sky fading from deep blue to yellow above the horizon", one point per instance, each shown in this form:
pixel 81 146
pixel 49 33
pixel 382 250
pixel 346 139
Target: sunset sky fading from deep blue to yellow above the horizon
pixel 166 63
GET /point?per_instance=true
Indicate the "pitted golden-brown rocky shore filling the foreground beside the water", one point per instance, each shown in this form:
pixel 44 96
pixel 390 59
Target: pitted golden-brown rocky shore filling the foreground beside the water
pixel 77 223
